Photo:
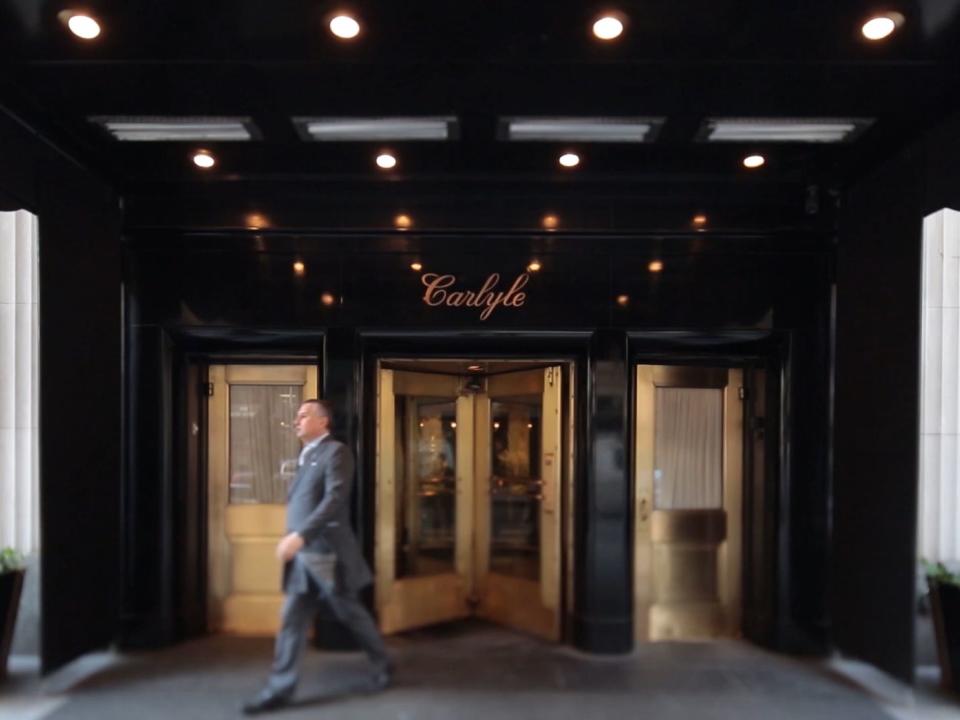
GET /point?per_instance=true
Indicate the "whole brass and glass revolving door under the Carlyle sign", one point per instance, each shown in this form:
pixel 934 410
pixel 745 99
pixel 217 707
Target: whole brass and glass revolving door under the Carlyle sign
pixel 468 483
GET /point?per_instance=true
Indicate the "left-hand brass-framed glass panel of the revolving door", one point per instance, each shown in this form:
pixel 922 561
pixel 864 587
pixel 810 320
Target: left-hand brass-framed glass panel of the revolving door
pixel 423 560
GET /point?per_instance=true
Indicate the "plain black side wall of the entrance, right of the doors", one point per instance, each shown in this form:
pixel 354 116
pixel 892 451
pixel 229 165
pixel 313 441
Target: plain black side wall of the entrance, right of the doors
pixel 877 398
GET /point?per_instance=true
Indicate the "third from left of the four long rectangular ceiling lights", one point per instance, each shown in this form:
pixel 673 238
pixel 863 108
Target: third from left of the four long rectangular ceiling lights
pixel 579 129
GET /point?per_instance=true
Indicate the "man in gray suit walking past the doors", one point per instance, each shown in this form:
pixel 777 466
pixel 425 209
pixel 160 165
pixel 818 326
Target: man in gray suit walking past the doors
pixel 321 559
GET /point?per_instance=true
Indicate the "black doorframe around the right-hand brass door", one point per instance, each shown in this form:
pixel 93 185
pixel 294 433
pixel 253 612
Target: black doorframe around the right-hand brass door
pixel 764 549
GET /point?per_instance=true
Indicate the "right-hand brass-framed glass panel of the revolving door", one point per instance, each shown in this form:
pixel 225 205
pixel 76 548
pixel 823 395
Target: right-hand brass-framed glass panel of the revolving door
pixel 518 518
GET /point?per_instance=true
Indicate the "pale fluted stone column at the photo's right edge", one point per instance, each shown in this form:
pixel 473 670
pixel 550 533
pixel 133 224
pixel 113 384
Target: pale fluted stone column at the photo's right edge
pixel 939 502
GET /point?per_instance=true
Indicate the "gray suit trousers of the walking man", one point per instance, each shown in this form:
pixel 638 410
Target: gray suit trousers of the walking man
pixel 299 610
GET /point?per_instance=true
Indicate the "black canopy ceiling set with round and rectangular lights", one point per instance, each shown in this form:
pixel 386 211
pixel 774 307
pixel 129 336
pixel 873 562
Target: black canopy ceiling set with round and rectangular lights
pixel 478 60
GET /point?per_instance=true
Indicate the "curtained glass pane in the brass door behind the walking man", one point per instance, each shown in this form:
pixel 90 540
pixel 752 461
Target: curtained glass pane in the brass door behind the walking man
pixel 263 445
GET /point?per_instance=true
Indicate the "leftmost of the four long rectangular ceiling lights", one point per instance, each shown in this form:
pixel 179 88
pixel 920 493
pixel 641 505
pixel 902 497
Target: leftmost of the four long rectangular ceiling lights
pixel 177 129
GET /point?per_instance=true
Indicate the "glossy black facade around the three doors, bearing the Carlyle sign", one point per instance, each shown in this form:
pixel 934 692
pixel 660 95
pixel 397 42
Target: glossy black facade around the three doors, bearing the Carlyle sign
pixel 750 300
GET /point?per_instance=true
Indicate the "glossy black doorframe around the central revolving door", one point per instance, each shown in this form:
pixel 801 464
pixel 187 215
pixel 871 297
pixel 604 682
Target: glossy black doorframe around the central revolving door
pixel 563 347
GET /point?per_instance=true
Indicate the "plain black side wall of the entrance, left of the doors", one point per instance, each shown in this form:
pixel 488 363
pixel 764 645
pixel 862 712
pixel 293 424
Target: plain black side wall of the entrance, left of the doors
pixel 80 336
